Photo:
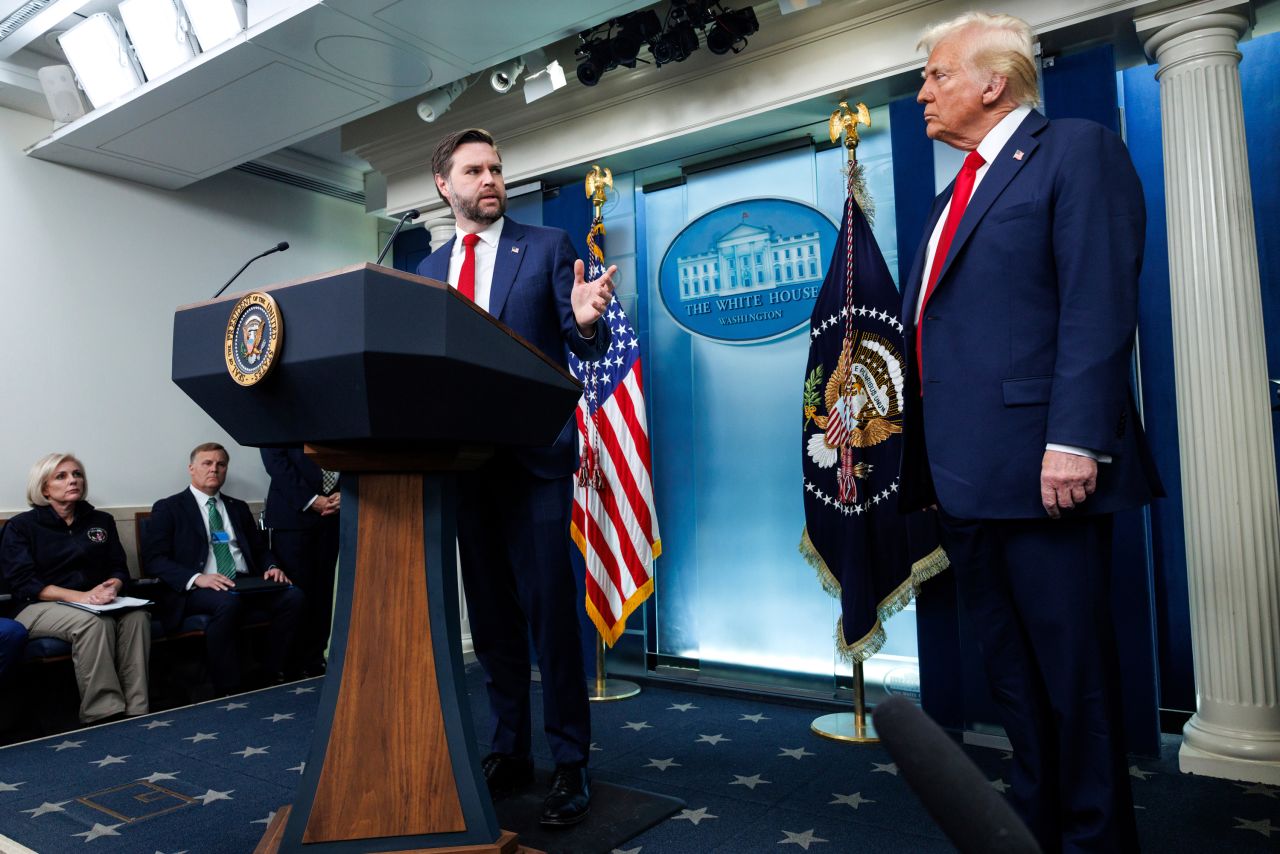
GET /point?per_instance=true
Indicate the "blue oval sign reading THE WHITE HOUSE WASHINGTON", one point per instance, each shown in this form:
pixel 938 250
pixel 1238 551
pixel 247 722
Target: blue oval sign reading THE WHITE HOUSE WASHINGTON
pixel 748 271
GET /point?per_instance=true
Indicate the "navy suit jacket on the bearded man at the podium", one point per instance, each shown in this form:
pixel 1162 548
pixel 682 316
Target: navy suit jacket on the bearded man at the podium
pixel 533 278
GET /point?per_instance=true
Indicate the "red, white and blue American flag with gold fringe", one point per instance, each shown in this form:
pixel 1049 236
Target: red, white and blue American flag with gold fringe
pixel 614 522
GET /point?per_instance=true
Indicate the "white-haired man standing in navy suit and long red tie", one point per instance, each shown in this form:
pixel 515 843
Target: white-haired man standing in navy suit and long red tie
pixel 1022 310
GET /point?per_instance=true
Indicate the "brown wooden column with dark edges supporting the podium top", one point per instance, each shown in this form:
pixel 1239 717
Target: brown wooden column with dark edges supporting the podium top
pixel 392 764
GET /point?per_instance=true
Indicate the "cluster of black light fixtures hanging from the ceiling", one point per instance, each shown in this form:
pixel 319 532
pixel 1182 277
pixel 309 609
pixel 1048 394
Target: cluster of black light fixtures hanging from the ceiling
pixel 619 42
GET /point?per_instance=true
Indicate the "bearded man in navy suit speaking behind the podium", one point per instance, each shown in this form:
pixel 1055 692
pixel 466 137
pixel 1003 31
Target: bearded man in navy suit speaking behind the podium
pixel 514 514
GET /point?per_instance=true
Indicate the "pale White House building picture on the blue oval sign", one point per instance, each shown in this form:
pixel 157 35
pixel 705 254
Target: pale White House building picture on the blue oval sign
pixel 749 259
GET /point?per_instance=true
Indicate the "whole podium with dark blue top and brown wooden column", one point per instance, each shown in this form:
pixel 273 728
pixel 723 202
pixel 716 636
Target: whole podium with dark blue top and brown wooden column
pixel 399 383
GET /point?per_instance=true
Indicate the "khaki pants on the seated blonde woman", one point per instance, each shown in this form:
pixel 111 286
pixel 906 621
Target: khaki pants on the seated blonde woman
pixel 111 655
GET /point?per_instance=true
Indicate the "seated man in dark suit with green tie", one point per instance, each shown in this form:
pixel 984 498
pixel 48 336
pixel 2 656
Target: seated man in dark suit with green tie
pixel 200 542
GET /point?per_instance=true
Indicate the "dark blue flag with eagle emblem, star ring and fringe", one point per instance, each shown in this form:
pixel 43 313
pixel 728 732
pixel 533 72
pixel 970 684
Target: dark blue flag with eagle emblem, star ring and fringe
pixel 867 555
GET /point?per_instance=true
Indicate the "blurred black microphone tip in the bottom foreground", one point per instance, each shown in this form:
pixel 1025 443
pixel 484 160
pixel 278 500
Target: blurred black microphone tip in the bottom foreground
pixel 953 789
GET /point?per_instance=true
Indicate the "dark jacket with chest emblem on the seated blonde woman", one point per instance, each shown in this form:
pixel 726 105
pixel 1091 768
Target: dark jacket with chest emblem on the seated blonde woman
pixel 39 550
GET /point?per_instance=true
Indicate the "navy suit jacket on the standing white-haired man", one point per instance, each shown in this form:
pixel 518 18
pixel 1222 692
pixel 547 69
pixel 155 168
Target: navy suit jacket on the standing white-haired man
pixel 1028 335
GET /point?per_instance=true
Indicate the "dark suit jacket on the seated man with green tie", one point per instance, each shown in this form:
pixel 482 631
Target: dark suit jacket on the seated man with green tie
pixel 176 545
